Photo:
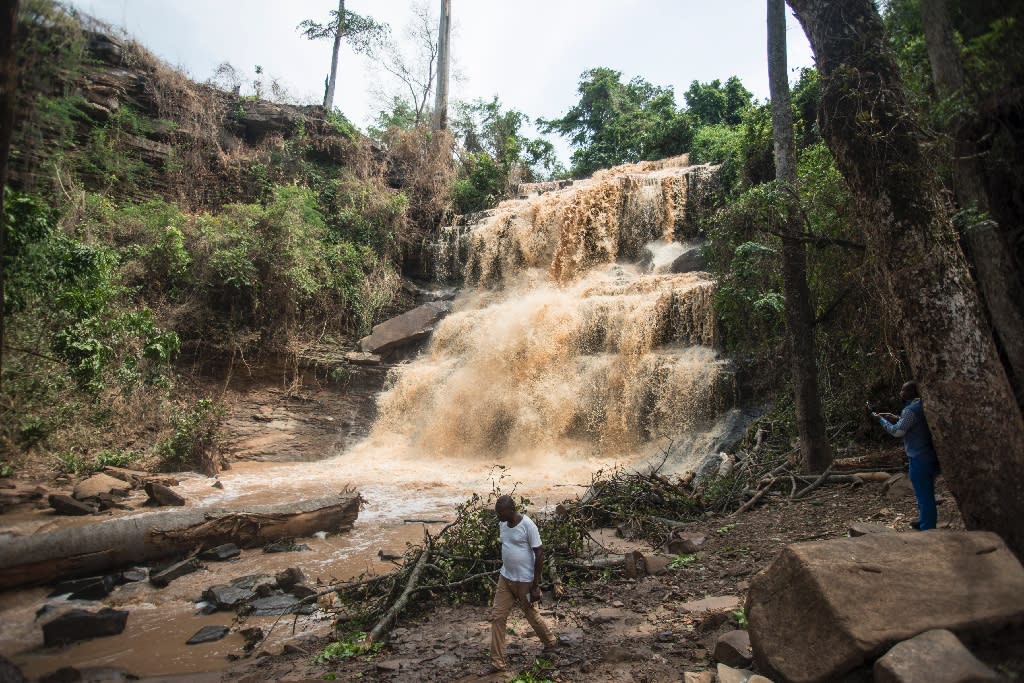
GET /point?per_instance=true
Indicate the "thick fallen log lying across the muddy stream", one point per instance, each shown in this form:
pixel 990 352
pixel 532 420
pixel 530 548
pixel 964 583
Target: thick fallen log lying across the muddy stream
pixel 39 559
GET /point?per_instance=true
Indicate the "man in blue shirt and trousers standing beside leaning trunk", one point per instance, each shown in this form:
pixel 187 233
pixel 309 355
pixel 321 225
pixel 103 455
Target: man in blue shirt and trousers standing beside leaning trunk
pixel 913 429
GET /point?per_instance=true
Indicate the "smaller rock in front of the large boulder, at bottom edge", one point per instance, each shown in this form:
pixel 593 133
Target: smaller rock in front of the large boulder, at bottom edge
pixel 934 656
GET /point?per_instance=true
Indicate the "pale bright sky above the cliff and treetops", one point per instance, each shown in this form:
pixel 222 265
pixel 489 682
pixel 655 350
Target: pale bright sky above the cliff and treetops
pixel 531 54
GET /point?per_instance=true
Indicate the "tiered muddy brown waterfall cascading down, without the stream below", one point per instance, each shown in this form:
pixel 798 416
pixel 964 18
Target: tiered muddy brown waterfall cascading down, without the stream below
pixel 571 335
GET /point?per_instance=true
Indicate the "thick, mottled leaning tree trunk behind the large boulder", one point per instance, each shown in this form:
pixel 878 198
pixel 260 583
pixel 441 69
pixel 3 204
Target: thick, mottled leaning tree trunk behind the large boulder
pixel 869 125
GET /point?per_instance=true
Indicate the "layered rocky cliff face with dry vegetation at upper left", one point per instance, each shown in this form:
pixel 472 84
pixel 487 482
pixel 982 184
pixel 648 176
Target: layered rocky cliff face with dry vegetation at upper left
pixel 132 127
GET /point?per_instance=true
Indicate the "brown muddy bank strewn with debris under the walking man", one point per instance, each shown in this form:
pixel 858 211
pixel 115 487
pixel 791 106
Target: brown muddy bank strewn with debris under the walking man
pixel 618 629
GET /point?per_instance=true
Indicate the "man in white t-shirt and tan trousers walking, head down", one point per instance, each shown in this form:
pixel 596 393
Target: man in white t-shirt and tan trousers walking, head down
pixel 523 560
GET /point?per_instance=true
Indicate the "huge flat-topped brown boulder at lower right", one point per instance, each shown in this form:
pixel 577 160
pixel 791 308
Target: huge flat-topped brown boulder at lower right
pixel 822 610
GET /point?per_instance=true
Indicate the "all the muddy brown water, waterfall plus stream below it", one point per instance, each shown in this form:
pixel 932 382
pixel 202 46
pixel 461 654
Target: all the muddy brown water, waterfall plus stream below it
pixel 572 349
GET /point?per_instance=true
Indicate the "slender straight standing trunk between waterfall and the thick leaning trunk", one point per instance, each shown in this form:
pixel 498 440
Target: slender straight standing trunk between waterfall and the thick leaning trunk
pixel 799 315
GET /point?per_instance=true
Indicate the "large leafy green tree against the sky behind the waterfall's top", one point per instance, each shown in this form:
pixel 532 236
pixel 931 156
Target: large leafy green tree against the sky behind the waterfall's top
pixel 616 122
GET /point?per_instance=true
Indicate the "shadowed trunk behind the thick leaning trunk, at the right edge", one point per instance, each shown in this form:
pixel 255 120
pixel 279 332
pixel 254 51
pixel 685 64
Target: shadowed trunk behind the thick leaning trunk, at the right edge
pixel 998 279
